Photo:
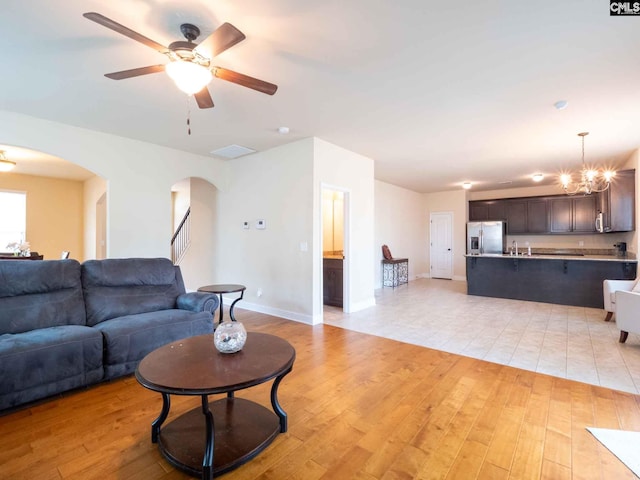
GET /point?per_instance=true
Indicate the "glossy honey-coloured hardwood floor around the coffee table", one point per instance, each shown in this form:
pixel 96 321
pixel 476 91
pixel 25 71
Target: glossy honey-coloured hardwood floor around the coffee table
pixel 360 407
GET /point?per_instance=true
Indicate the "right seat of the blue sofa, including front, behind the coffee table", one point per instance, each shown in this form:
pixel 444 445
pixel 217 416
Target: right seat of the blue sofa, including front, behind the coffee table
pixel 128 339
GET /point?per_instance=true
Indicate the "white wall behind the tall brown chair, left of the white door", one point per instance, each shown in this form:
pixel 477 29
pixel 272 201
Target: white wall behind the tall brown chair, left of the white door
pixel 401 223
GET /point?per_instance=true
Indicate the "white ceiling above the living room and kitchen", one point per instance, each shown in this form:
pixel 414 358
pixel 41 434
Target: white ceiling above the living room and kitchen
pixel 437 93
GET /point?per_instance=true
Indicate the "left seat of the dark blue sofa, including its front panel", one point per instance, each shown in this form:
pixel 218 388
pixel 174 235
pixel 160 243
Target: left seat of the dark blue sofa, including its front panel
pixel 47 361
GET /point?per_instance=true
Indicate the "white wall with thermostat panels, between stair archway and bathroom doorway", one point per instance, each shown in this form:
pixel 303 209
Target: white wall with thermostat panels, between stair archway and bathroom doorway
pixel 274 186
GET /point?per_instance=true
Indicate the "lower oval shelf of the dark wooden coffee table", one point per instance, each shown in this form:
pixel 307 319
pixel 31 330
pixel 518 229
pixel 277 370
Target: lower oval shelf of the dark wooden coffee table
pixel 242 429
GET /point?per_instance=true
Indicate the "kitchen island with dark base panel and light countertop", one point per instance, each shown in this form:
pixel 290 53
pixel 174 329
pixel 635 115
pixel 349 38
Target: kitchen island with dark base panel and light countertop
pixel 564 279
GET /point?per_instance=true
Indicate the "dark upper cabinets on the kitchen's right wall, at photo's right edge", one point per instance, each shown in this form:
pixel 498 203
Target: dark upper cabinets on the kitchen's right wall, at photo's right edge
pixel 617 203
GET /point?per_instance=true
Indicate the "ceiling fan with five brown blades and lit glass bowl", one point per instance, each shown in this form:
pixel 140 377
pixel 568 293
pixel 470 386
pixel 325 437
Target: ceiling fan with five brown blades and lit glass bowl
pixel 190 64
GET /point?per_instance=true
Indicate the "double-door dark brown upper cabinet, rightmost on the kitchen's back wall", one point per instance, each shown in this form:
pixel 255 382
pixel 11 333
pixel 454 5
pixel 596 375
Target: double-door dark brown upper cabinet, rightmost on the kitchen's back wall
pixel 572 214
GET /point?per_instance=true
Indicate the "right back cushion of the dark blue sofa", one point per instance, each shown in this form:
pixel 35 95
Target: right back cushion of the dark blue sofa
pixel 125 286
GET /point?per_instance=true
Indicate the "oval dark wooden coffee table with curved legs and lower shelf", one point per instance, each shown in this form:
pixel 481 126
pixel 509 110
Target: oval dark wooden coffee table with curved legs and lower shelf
pixel 223 434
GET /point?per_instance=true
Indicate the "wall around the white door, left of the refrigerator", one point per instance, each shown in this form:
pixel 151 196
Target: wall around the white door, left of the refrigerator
pixel 456 203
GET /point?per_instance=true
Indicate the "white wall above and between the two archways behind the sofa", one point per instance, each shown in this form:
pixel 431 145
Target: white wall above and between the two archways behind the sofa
pixel 139 176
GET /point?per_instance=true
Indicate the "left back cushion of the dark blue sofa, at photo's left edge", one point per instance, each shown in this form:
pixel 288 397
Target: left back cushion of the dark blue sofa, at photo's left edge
pixel 39 294
